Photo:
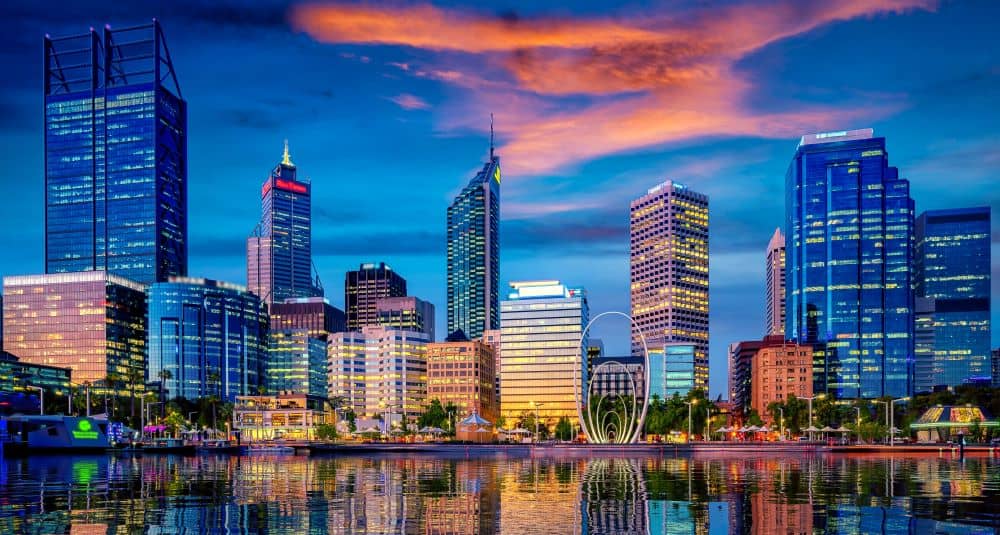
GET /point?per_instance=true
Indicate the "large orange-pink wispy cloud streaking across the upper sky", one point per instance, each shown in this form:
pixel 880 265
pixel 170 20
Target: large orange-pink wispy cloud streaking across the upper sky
pixel 623 84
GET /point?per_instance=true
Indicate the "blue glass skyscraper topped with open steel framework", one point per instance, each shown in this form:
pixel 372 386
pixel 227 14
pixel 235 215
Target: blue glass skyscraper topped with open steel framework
pixel 115 155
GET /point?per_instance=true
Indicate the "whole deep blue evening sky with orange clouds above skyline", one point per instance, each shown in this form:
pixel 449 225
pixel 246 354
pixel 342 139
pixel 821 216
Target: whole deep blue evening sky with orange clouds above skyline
pixel 386 107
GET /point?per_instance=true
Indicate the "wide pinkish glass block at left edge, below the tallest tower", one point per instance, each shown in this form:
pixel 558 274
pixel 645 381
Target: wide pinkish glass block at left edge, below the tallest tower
pixel 92 322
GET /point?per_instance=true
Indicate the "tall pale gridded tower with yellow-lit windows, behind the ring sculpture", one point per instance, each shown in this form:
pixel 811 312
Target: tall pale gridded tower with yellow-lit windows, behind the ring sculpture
pixel 668 230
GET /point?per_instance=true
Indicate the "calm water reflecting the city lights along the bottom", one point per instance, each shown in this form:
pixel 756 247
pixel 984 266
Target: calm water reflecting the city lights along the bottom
pixel 426 494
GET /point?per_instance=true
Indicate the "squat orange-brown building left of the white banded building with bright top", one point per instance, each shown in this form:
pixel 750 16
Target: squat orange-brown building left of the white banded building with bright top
pixel 463 373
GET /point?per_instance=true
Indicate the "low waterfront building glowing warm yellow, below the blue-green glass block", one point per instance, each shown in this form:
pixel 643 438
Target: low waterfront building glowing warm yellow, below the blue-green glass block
pixel 280 417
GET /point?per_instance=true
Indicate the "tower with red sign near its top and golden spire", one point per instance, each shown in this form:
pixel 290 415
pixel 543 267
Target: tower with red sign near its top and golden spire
pixel 279 253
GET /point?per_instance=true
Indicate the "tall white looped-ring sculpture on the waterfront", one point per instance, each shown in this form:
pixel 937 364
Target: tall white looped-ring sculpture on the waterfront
pixel 603 424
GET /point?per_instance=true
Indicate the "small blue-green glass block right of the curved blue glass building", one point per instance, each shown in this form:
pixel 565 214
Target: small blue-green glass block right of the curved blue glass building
pixel 296 363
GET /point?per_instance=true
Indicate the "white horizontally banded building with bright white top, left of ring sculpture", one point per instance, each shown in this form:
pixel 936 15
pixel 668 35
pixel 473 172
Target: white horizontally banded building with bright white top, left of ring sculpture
pixel 540 324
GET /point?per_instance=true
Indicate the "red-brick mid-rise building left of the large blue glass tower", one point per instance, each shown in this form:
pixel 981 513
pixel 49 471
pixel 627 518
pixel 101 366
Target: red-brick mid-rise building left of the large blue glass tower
pixel 777 370
